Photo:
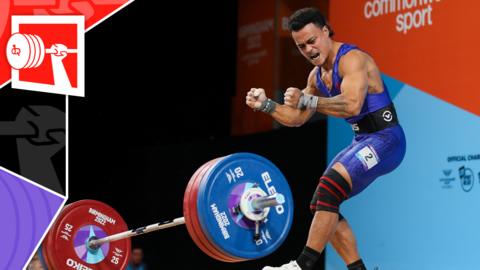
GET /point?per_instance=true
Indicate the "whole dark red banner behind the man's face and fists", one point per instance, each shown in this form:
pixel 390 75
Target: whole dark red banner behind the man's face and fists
pixel 267 57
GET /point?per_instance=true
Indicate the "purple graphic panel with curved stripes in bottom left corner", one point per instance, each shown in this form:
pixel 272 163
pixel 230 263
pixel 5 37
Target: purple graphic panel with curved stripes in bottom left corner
pixel 27 210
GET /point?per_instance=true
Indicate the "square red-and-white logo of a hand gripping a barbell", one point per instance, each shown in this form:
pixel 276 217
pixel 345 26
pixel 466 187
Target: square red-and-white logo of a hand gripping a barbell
pixel 46 54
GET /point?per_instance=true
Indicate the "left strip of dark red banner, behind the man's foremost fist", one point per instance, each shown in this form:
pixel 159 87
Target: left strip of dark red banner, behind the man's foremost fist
pixel 255 60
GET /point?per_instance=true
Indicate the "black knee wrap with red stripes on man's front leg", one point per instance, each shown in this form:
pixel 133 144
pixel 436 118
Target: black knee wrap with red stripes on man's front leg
pixel 332 190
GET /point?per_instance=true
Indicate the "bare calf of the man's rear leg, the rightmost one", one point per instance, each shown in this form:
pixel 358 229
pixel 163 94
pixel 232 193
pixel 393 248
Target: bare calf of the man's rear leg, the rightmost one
pixel 344 243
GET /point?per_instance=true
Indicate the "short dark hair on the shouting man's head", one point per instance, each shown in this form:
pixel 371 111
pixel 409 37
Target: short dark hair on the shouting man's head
pixel 304 16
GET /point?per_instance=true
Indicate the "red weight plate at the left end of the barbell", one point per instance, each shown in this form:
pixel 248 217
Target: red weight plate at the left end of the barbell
pixel 66 243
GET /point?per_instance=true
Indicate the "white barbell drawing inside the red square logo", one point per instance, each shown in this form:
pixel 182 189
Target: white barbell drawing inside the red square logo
pixel 28 51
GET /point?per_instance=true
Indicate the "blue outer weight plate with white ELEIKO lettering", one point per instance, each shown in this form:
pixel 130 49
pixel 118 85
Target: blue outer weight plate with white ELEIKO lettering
pixel 221 189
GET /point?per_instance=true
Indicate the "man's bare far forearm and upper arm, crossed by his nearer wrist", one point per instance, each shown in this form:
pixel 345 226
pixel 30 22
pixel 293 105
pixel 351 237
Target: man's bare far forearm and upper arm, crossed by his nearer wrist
pixel 293 117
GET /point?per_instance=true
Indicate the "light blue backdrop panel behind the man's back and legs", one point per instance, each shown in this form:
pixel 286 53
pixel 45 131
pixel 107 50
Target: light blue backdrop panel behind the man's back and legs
pixel 426 213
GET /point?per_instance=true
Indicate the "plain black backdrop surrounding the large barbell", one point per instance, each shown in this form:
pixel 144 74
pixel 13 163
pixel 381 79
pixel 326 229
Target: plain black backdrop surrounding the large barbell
pixel 159 84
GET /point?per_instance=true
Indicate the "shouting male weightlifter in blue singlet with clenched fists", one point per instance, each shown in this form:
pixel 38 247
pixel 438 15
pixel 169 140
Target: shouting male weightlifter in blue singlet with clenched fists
pixel 345 82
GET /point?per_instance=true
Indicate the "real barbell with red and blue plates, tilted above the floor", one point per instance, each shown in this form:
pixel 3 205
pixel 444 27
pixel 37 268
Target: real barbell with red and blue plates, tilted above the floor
pixel 236 208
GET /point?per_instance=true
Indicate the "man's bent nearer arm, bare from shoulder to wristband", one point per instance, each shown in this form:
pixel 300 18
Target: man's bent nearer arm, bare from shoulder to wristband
pixel 353 88
